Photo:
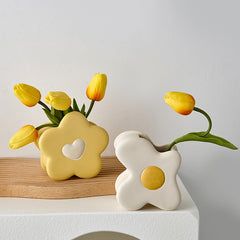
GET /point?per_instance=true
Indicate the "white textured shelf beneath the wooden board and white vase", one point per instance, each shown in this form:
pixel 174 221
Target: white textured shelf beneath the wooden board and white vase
pixel 67 219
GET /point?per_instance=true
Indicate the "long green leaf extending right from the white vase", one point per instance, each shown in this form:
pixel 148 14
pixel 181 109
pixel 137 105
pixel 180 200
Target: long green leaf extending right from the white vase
pixel 199 136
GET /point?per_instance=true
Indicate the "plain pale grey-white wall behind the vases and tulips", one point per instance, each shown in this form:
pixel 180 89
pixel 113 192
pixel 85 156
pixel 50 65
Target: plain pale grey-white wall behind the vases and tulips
pixel 146 48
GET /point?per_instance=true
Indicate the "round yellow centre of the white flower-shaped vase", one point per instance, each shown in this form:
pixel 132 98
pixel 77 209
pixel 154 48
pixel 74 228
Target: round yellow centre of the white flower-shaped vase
pixel 152 177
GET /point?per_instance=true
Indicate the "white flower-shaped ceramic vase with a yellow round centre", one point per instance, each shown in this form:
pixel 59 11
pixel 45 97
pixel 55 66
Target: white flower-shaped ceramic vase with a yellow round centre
pixel 150 175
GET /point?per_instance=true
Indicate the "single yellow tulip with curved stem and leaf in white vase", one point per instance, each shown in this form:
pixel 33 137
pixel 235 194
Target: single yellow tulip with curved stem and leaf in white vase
pixel 184 104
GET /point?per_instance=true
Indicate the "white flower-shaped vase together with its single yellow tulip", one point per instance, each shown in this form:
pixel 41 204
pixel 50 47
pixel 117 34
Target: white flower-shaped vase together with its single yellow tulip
pixel 151 171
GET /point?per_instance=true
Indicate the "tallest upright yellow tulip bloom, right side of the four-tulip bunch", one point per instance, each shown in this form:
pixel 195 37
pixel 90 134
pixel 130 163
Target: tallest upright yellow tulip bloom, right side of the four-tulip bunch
pixel 97 86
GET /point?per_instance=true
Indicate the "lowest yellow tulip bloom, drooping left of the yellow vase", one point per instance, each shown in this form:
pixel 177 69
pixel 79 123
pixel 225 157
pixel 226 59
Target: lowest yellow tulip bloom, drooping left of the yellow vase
pixel 23 136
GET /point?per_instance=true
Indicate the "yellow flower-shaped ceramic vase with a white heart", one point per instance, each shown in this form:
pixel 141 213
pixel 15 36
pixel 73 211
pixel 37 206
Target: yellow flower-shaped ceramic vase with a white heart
pixel 72 148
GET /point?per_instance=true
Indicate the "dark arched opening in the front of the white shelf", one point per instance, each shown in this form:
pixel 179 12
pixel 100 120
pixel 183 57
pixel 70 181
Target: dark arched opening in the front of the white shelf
pixel 105 236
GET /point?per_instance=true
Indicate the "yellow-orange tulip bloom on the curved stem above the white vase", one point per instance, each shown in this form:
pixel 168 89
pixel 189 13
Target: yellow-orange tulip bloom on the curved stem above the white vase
pixel 180 102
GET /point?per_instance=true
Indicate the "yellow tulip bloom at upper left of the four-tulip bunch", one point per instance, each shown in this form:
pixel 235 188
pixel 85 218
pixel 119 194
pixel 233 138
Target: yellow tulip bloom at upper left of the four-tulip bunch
pixel 27 94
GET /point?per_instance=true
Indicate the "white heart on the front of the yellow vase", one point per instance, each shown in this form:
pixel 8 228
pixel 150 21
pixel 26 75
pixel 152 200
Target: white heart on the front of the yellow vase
pixel 75 150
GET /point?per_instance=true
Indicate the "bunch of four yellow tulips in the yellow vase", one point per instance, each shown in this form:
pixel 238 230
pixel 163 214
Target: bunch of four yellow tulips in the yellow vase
pixel 57 105
